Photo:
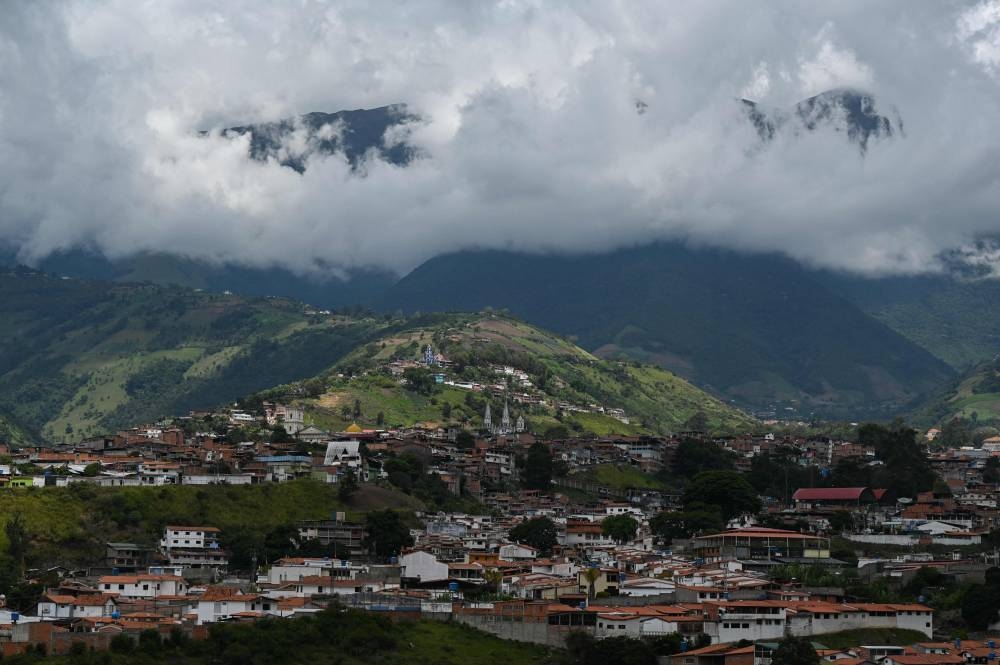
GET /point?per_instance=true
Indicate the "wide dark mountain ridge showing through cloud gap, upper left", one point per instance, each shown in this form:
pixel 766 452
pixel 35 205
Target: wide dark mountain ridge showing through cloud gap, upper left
pixel 292 141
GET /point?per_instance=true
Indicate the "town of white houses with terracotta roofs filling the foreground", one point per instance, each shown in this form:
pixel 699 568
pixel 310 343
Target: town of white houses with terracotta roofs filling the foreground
pixel 526 538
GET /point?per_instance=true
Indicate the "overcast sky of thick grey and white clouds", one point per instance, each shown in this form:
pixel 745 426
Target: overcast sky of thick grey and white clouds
pixel 530 131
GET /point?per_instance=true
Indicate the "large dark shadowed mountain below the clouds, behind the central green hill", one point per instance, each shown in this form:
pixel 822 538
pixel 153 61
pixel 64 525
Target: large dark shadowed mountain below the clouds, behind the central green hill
pixel 759 330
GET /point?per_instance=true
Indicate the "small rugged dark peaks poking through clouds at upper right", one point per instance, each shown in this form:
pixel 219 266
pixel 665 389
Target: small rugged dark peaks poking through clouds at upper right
pixel 851 112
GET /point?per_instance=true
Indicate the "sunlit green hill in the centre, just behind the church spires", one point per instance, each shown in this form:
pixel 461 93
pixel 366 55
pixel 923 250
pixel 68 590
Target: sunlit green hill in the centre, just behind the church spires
pixel 359 388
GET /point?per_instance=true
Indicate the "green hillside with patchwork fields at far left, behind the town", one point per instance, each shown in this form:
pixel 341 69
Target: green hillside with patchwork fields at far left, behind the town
pixel 84 357
